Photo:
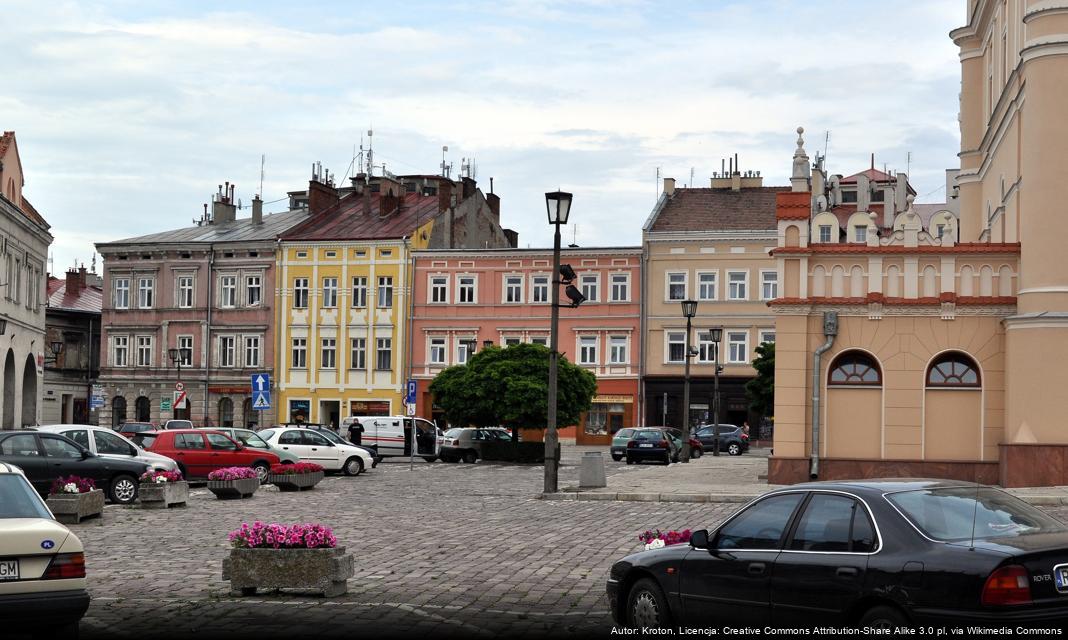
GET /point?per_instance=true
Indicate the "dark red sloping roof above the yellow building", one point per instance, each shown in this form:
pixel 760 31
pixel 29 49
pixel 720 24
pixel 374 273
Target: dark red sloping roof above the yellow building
pixel 350 222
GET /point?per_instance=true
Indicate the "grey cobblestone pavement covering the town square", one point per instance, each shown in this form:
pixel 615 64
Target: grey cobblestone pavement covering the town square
pixel 442 551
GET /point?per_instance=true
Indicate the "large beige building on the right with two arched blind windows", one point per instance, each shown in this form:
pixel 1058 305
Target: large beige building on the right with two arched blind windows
pixel 939 344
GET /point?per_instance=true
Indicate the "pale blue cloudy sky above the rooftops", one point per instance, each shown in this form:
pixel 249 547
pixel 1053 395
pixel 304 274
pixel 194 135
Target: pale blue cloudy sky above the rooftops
pixel 129 114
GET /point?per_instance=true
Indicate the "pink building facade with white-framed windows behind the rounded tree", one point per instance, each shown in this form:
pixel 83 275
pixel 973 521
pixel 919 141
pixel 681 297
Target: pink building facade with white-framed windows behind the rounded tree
pixel 502 298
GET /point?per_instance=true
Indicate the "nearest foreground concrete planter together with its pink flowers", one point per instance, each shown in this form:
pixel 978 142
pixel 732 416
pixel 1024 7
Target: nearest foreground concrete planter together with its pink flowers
pixel 303 556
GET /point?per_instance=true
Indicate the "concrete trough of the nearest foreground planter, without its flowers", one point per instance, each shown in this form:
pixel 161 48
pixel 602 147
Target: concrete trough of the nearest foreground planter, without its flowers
pixel 325 571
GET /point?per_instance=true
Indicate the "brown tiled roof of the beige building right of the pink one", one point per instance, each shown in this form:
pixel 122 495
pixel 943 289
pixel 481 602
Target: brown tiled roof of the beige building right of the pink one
pixel 719 210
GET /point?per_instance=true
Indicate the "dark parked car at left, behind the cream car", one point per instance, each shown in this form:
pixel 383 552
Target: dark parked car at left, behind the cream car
pixel 46 457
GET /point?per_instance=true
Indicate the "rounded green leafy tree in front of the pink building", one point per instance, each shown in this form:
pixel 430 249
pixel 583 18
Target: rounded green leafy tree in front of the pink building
pixel 510 387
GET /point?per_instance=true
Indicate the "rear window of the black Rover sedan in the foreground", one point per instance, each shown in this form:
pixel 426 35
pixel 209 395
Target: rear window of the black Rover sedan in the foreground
pixel 955 514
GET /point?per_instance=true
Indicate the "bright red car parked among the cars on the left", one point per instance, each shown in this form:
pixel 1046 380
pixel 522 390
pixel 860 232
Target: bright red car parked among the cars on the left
pixel 200 451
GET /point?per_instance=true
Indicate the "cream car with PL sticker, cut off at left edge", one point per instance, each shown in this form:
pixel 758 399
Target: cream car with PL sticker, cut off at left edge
pixel 43 588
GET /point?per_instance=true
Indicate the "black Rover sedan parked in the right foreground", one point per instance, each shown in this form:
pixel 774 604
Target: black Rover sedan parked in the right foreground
pixel 878 554
